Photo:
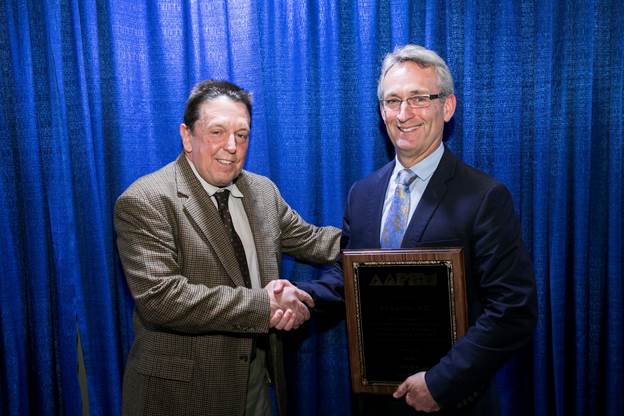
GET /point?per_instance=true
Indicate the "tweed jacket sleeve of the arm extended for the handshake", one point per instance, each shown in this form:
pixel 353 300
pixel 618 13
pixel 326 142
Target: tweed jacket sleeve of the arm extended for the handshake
pixel 147 240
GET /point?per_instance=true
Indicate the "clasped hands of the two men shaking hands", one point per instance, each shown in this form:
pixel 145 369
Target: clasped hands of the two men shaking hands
pixel 289 305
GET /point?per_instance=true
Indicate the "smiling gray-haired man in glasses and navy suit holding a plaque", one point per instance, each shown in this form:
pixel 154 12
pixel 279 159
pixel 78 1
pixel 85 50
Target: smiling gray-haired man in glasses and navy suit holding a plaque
pixel 445 203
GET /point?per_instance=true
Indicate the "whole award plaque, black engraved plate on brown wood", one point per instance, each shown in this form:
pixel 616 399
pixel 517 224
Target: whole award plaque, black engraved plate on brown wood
pixel 405 309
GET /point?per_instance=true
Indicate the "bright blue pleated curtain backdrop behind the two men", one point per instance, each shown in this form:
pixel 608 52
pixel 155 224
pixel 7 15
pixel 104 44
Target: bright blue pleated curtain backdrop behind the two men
pixel 92 92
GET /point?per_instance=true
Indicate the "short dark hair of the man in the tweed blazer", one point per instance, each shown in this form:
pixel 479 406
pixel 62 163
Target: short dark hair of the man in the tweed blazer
pixel 209 90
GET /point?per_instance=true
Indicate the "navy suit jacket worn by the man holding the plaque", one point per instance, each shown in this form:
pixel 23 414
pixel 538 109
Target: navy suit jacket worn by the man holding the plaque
pixel 461 207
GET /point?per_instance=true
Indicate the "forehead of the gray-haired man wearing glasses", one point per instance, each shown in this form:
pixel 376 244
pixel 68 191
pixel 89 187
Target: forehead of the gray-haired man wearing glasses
pixel 409 77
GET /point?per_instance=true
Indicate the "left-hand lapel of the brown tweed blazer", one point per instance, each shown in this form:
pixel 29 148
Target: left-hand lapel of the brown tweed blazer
pixel 202 213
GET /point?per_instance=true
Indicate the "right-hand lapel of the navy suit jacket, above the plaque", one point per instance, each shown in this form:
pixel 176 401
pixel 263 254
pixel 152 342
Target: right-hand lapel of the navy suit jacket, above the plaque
pixel 433 195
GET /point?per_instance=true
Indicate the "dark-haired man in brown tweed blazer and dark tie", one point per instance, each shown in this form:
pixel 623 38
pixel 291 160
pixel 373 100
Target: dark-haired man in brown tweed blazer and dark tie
pixel 201 344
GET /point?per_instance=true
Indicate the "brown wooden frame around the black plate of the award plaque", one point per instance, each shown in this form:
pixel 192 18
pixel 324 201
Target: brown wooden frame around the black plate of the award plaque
pixel 407 260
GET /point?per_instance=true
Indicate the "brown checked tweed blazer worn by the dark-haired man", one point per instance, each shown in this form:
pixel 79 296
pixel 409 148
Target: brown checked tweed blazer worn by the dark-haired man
pixel 194 320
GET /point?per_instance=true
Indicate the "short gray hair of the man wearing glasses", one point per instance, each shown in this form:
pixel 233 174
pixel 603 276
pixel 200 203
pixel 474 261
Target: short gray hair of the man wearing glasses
pixel 423 57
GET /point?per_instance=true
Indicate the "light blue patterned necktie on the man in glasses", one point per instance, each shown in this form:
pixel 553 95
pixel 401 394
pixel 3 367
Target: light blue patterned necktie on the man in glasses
pixel 396 221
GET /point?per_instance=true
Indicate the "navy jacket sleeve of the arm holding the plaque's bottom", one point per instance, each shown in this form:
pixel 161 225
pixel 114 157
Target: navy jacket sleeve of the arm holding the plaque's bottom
pixel 509 307
